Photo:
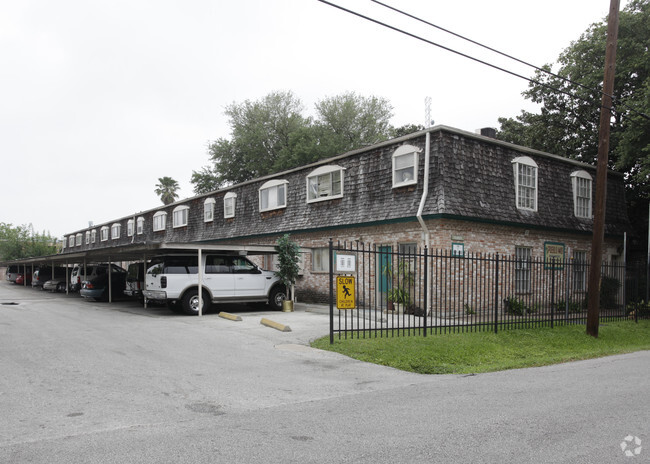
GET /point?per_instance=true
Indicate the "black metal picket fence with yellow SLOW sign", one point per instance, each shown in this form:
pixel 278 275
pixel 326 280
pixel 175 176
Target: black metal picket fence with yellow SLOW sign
pixel 416 292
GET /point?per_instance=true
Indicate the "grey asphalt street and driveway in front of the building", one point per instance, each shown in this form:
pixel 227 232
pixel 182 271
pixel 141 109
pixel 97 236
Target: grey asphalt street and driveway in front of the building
pixel 85 382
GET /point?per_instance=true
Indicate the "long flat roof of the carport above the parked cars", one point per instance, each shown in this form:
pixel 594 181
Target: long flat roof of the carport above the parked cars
pixel 136 252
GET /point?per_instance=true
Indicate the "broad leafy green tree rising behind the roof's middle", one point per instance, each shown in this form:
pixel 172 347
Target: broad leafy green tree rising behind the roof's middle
pixel 272 134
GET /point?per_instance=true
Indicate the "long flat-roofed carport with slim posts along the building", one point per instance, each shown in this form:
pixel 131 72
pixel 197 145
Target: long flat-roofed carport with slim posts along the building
pixel 138 252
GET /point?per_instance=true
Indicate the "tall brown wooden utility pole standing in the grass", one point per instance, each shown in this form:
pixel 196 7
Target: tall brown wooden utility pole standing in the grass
pixel 593 302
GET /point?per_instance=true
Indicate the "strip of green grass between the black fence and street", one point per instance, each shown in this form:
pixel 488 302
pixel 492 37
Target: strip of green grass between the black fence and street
pixel 465 353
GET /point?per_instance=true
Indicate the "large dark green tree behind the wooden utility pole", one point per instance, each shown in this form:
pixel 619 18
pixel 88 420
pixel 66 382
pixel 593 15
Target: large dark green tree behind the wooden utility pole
pixel 567 123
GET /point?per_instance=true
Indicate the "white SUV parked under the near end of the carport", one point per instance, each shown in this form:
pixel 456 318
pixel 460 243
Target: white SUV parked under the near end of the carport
pixel 174 280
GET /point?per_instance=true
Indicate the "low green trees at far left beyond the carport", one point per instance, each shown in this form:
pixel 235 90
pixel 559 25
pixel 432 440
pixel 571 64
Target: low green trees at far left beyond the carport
pixel 22 242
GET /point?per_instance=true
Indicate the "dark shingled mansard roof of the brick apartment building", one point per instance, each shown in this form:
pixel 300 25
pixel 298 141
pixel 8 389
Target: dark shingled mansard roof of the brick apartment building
pixel 470 177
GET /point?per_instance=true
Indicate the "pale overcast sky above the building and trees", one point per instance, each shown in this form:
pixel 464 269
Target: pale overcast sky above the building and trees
pixel 100 98
